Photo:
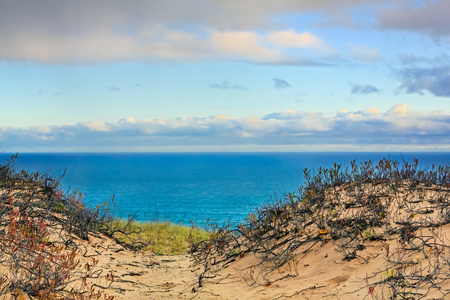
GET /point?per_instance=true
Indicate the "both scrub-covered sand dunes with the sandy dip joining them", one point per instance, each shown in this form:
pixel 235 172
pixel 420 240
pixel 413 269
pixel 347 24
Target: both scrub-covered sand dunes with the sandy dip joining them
pixel 357 236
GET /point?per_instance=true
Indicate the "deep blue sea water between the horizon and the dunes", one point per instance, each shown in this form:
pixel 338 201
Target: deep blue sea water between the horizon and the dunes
pixel 193 186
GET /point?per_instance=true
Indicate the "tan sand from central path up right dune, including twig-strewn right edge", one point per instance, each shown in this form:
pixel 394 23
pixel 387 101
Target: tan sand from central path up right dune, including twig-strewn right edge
pixel 317 269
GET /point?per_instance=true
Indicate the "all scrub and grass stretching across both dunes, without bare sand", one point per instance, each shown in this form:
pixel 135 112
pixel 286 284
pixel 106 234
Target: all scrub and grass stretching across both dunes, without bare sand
pixel 399 205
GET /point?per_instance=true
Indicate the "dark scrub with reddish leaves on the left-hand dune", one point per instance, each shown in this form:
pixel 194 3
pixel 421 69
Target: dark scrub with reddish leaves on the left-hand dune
pixel 36 247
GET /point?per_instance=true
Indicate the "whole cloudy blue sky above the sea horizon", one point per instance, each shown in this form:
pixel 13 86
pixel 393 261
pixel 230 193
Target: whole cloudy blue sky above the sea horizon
pixel 215 75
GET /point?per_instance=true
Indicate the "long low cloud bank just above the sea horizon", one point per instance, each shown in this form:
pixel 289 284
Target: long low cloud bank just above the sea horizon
pixel 369 129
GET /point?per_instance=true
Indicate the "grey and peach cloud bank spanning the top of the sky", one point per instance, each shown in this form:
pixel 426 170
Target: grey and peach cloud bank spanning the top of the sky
pixel 88 32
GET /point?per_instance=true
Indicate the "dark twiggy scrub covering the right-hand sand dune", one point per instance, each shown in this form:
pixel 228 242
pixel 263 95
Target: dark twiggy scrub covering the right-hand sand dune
pixel 397 204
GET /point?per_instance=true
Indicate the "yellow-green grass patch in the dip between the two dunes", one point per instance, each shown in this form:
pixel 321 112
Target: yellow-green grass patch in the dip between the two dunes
pixel 160 237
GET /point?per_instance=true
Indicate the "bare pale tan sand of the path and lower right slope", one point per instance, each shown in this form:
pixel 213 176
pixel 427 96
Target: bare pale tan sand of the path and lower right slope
pixel 320 273
